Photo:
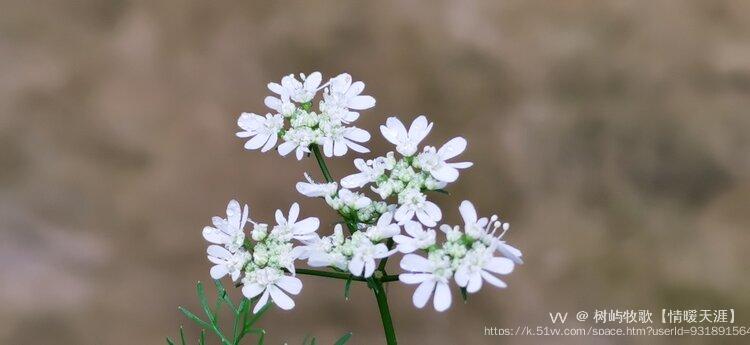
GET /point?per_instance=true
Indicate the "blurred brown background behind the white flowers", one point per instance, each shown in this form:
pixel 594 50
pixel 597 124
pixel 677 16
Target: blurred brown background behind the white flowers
pixel 614 136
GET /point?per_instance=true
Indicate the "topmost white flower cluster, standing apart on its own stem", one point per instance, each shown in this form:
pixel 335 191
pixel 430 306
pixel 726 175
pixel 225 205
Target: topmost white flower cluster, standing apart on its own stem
pixel 298 126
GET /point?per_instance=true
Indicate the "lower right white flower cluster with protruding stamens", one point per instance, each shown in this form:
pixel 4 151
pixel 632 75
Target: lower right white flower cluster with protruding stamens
pixel 467 256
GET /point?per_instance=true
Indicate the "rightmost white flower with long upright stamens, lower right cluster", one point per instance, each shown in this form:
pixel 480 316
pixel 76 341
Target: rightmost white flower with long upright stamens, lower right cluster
pixel 479 228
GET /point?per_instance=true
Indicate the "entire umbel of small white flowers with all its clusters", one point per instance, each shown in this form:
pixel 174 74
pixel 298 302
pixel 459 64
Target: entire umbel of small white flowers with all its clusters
pixel 465 255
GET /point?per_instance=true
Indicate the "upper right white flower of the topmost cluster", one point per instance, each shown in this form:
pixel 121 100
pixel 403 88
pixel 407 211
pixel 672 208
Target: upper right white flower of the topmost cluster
pixel 342 96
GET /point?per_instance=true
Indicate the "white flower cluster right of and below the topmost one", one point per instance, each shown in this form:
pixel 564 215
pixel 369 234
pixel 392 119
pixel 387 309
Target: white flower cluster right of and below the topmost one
pixel 411 175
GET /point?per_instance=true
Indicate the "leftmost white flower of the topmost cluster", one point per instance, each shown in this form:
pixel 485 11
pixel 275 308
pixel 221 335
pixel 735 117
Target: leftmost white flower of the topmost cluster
pixel 263 130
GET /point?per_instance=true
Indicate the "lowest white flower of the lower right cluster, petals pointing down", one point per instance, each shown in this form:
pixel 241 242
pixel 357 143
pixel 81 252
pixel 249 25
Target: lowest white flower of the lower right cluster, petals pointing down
pixel 433 274
